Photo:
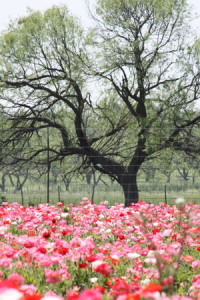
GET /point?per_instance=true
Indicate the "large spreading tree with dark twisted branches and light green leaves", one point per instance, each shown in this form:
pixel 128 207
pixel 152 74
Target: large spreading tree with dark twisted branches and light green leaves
pixel 147 78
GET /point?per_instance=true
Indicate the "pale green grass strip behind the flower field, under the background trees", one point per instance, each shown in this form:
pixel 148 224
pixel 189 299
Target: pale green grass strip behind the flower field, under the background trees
pixel 35 192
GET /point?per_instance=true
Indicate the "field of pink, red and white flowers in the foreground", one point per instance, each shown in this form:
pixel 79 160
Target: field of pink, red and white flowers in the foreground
pixel 94 252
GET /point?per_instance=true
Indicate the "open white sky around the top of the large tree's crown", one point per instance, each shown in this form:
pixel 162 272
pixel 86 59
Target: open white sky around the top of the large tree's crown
pixel 12 9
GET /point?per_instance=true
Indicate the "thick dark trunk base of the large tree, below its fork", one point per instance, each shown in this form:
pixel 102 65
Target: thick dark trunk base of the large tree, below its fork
pixel 130 189
